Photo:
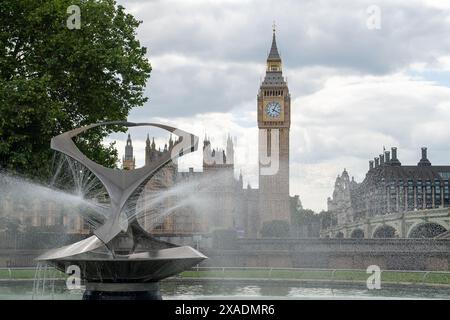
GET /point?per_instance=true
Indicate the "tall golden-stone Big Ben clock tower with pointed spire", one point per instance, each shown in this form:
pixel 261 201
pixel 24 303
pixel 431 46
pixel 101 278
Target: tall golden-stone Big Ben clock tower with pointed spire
pixel 274 120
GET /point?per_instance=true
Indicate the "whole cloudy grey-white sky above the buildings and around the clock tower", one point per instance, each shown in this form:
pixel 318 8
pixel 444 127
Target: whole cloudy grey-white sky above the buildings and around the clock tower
pixel 354 89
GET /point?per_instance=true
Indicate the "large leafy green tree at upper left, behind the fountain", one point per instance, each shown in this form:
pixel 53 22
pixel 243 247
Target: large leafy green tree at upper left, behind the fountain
pixel 53 79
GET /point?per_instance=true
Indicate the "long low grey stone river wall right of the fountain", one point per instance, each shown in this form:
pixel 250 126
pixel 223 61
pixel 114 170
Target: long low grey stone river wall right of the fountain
pixel 388 254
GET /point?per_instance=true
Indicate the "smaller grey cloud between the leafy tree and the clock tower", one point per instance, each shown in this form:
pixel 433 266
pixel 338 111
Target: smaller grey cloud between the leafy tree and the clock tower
pixel 187 91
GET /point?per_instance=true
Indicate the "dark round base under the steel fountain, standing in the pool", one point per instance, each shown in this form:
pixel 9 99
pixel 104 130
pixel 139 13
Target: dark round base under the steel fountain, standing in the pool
pixel 122 291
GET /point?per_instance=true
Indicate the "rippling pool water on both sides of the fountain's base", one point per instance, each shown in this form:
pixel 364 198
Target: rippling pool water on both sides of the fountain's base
pixel 15 290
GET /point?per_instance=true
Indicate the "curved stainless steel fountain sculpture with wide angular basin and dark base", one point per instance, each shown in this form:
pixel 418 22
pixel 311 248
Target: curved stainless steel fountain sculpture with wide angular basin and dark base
pixel 121 260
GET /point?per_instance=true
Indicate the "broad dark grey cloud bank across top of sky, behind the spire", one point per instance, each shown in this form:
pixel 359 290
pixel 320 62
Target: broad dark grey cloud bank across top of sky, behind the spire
pixel 310 32
